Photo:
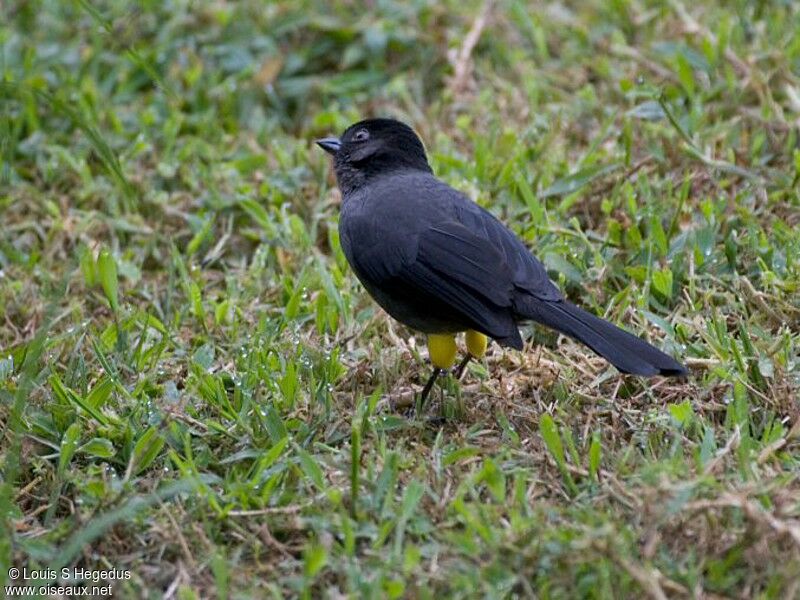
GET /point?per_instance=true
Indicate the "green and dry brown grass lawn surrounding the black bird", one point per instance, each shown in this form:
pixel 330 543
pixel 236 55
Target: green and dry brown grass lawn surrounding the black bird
pixel 193 385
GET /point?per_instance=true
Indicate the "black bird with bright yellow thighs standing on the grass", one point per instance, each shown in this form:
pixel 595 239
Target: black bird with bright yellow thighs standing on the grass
pixel 441 264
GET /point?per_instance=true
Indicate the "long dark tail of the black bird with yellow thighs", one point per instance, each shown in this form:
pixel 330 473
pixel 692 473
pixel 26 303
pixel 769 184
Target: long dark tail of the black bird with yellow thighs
pixel 623 350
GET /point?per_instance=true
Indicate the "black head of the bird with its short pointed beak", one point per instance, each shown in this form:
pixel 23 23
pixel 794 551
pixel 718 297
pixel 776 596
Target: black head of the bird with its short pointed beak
pixel 373 148
